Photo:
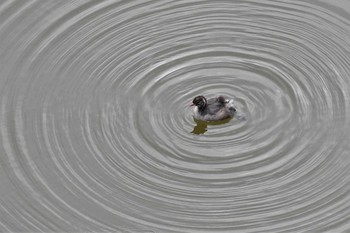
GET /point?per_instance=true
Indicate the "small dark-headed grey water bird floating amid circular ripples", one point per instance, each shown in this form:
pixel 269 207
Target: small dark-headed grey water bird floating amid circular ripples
pixel 214 109
